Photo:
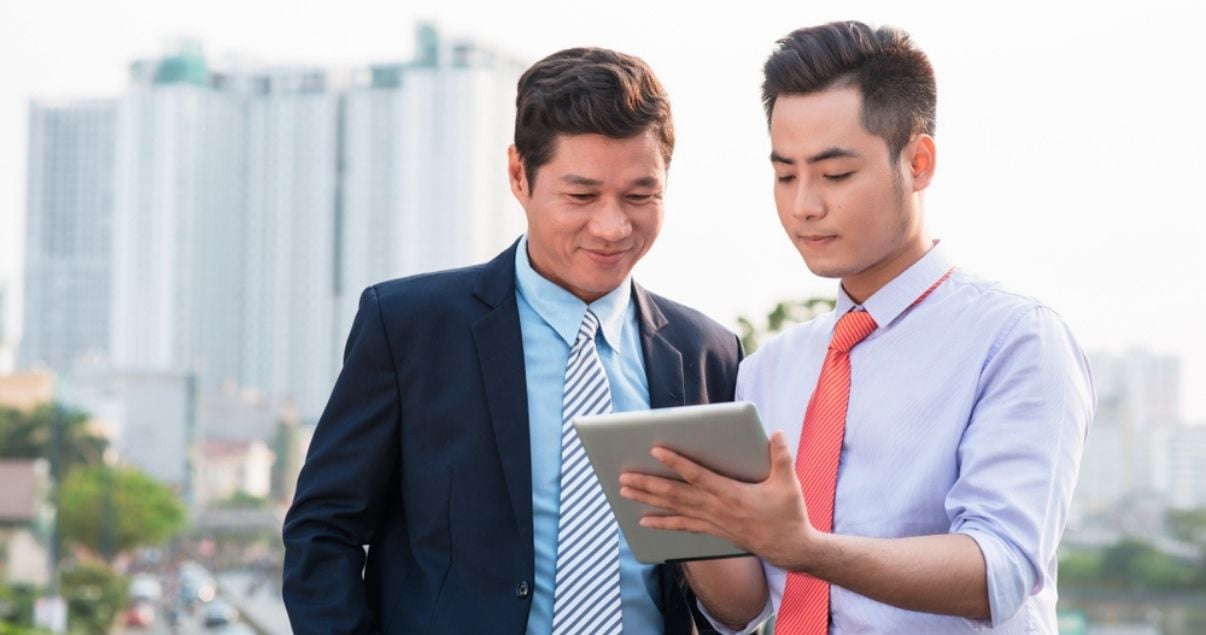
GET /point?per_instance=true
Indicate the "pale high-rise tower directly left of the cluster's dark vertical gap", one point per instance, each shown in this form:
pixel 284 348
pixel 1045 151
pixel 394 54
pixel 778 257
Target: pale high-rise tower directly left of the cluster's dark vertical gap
pixel 289 285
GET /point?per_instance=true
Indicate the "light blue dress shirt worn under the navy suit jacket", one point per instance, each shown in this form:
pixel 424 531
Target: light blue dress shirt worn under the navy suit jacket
pixel 549 320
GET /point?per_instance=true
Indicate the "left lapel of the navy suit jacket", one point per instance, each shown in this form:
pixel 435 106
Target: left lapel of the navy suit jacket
pixel 500 345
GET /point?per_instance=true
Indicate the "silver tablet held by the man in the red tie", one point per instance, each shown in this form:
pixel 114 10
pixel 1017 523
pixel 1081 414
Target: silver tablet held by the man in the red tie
pixel 727 438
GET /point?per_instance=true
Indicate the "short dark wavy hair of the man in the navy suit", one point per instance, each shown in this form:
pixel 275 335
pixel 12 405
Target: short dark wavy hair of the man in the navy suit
pixel 588 91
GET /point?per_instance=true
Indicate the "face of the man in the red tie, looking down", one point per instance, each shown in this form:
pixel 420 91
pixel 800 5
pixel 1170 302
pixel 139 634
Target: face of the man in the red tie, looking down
pixel 851 211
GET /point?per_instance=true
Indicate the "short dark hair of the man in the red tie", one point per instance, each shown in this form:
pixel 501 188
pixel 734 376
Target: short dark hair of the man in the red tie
pixel 895 78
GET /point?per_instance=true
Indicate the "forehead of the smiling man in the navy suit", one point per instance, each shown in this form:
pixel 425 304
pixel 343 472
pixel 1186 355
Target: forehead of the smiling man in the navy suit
pixel 606 158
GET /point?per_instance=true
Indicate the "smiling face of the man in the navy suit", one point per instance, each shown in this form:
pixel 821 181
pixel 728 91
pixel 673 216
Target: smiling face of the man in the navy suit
pixel 594 211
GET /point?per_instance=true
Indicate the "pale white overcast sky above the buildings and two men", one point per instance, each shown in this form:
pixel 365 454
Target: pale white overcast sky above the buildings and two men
pixel 1072 142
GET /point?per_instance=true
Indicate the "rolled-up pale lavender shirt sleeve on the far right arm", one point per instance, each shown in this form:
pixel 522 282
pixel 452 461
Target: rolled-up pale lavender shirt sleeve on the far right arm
pixel 1021 455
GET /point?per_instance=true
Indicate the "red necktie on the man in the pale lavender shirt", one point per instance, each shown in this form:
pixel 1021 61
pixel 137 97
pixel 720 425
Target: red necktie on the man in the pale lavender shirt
pixel 805 605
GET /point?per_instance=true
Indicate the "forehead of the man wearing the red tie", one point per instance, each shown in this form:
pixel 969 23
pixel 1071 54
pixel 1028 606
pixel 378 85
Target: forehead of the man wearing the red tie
pixel 812 124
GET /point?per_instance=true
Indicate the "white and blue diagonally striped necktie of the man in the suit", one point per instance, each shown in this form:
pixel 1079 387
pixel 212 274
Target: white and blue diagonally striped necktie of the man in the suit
pixel 587 597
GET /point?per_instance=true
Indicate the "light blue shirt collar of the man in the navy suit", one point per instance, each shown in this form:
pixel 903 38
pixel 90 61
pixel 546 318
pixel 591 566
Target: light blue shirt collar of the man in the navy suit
pixel 564 311
